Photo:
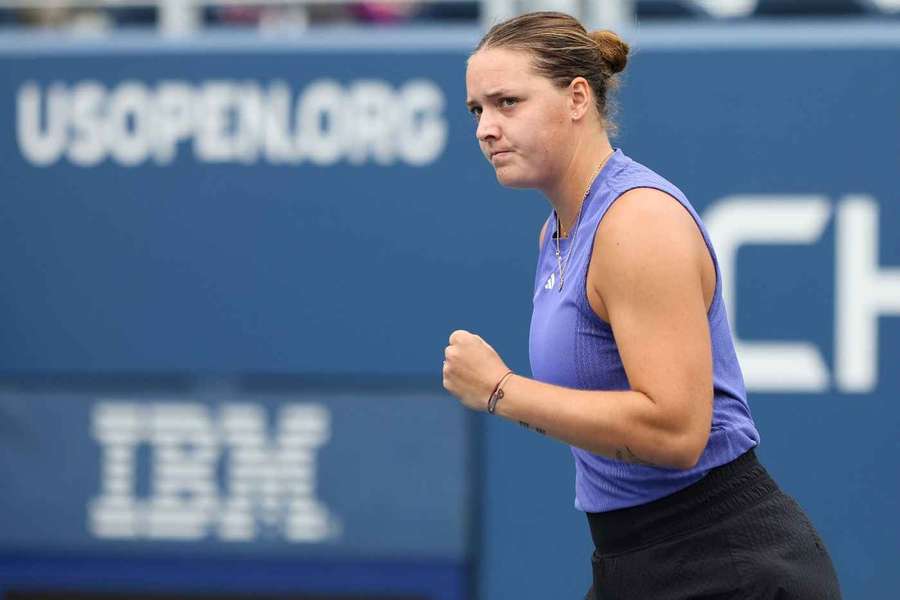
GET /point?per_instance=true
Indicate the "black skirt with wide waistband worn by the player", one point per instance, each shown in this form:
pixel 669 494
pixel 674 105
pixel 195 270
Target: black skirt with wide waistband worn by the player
pixel 733 534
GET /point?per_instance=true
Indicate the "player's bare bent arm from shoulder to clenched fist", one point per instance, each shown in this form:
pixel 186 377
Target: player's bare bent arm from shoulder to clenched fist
pixel 647 269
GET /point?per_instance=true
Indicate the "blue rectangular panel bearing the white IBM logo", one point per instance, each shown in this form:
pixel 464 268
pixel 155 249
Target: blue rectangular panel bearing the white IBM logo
pixel 339 475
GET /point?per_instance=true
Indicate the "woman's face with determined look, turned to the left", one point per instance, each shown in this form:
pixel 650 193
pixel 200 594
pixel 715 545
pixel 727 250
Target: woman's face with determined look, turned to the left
pixel 522 118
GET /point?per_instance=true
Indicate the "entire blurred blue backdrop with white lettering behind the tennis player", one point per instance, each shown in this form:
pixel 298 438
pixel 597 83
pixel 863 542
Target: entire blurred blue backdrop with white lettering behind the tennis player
pixel 235 235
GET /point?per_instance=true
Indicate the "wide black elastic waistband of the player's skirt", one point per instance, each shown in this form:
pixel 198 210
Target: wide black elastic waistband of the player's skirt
pixel 723 490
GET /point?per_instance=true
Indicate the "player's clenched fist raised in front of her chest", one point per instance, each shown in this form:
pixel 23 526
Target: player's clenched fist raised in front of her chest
pixel 471 369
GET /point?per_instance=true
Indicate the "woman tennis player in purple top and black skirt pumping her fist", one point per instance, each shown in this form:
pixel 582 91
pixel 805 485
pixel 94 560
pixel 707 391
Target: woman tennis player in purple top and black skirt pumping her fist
pixel 631 351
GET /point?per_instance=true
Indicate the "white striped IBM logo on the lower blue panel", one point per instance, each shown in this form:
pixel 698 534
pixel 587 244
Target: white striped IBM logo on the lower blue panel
pixel 268 484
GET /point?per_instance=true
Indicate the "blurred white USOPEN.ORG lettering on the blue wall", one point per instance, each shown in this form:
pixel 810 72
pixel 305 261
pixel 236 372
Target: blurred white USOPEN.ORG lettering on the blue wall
pixel 366 121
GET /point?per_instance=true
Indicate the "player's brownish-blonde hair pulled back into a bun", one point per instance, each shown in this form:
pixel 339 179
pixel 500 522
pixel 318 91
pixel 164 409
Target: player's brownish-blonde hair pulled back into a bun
pixel 562 50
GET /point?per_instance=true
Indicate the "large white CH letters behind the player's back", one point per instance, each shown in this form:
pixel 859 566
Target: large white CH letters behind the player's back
pixel 864 291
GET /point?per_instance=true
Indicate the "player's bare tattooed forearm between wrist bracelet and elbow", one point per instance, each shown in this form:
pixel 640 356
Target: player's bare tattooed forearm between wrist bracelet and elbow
pixel 623 425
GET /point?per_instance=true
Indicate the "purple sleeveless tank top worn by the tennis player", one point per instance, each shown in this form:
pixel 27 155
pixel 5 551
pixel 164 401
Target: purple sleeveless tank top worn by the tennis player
pixel 570 346
